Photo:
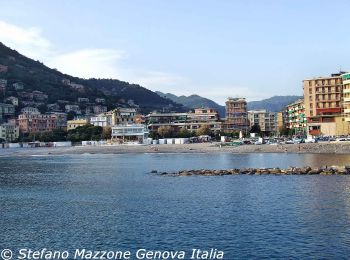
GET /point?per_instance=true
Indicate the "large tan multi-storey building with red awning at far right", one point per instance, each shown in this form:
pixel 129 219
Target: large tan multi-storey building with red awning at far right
pixel 323 105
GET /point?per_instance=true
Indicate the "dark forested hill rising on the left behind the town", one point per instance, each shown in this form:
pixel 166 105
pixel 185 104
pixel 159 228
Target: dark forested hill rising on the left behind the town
pixel 35 76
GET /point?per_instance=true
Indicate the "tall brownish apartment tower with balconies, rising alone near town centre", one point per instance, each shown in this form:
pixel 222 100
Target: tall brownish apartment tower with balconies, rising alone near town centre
pixel 236 115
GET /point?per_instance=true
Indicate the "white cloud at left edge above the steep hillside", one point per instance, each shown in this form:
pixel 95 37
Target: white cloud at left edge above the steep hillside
pixel 28 41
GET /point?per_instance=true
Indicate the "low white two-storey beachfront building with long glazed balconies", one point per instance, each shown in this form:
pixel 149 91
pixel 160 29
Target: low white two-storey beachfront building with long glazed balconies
pixel 134 133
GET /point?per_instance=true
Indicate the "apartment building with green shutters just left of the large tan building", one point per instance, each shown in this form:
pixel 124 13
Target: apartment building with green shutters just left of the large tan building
pixel 296 119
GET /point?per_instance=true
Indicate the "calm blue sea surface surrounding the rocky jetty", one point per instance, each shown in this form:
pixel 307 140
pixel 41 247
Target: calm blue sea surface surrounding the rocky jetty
pixel 112 202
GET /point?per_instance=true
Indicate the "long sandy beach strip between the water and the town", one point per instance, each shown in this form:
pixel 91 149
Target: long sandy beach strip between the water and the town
pixel 323 148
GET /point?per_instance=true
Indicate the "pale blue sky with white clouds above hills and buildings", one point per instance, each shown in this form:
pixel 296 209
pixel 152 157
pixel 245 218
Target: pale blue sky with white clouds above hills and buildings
pixel 213 48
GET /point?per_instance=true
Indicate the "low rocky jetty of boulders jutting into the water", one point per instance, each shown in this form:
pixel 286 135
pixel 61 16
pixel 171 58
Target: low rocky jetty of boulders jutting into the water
pixel 333 170
